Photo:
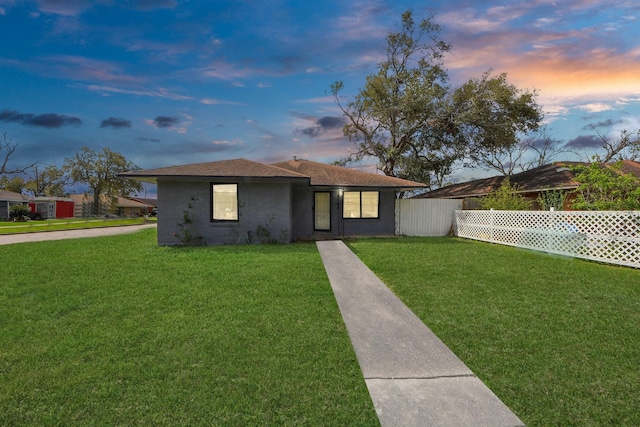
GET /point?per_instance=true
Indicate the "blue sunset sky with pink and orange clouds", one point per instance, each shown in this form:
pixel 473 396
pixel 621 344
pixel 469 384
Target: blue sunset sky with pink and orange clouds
pixel 170 82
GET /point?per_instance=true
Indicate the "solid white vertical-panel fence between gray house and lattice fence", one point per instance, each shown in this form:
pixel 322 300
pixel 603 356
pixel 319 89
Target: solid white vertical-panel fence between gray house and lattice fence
pixel 425 217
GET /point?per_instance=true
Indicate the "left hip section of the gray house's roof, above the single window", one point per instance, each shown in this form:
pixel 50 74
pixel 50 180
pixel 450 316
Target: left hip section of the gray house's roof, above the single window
pixel 235 168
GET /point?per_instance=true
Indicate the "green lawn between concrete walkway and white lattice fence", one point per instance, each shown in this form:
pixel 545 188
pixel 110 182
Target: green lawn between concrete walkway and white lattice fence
pixel 557 339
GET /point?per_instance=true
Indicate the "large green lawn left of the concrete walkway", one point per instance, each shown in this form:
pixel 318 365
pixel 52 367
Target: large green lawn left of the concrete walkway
pixel 117 331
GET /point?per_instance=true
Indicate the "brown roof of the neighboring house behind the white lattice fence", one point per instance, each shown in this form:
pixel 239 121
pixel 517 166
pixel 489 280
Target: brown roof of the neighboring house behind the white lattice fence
pixel 554 176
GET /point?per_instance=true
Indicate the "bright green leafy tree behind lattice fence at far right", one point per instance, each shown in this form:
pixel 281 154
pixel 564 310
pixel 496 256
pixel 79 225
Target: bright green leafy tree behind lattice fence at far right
pixel 605 187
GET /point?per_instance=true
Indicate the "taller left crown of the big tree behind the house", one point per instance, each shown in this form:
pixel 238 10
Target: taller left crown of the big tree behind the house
pixel 387 117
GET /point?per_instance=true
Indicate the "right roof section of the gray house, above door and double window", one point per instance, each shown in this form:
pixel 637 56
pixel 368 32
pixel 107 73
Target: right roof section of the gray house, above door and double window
pixel 324 174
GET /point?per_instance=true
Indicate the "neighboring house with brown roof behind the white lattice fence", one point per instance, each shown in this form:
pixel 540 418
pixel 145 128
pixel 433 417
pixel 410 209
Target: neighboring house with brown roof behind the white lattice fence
pixel 554 176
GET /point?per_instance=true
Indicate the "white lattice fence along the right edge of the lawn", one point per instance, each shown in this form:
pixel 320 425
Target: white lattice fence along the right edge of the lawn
pixel 607 236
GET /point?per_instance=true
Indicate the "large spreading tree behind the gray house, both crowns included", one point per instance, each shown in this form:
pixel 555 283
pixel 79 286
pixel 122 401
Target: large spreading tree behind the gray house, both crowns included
pixel 414 124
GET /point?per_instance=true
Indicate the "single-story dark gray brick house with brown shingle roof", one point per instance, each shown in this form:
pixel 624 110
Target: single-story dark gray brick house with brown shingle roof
pixel 242 201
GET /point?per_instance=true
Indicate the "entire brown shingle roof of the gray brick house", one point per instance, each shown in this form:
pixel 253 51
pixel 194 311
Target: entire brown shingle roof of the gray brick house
pixel 318 174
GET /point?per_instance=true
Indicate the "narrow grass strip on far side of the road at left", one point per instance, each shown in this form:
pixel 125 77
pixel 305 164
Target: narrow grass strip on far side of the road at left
pixel 10 227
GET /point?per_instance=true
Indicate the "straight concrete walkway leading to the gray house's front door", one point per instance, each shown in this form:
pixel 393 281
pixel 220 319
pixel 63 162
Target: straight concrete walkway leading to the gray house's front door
pixel 412 377
